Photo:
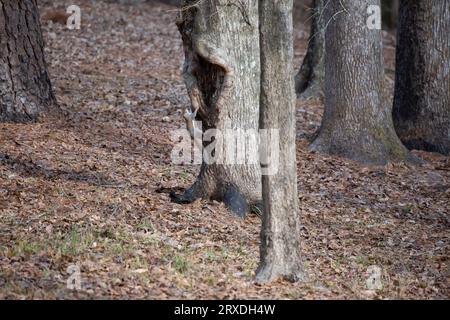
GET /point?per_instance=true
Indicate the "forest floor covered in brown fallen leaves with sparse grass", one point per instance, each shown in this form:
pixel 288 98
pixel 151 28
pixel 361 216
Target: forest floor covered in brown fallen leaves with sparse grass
pixel 86 187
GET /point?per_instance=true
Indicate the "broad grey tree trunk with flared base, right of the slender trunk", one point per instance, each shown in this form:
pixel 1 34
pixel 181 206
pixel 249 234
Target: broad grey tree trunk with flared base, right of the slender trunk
pixel 357 121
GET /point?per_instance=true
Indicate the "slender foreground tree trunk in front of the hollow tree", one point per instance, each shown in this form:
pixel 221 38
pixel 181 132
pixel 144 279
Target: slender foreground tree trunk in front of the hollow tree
pixel 280 232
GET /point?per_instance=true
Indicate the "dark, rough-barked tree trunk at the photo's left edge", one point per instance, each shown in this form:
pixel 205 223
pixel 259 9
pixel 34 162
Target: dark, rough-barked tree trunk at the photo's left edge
pixel 25 89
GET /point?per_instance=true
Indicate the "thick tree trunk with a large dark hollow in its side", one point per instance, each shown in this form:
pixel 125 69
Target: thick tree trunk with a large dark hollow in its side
pixel 222 75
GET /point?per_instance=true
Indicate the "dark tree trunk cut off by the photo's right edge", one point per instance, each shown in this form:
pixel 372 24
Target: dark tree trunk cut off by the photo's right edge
pixel 422 90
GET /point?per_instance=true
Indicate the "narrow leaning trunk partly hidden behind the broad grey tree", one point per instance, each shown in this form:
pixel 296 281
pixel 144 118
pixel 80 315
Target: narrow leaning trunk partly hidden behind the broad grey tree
pixel 310 78
